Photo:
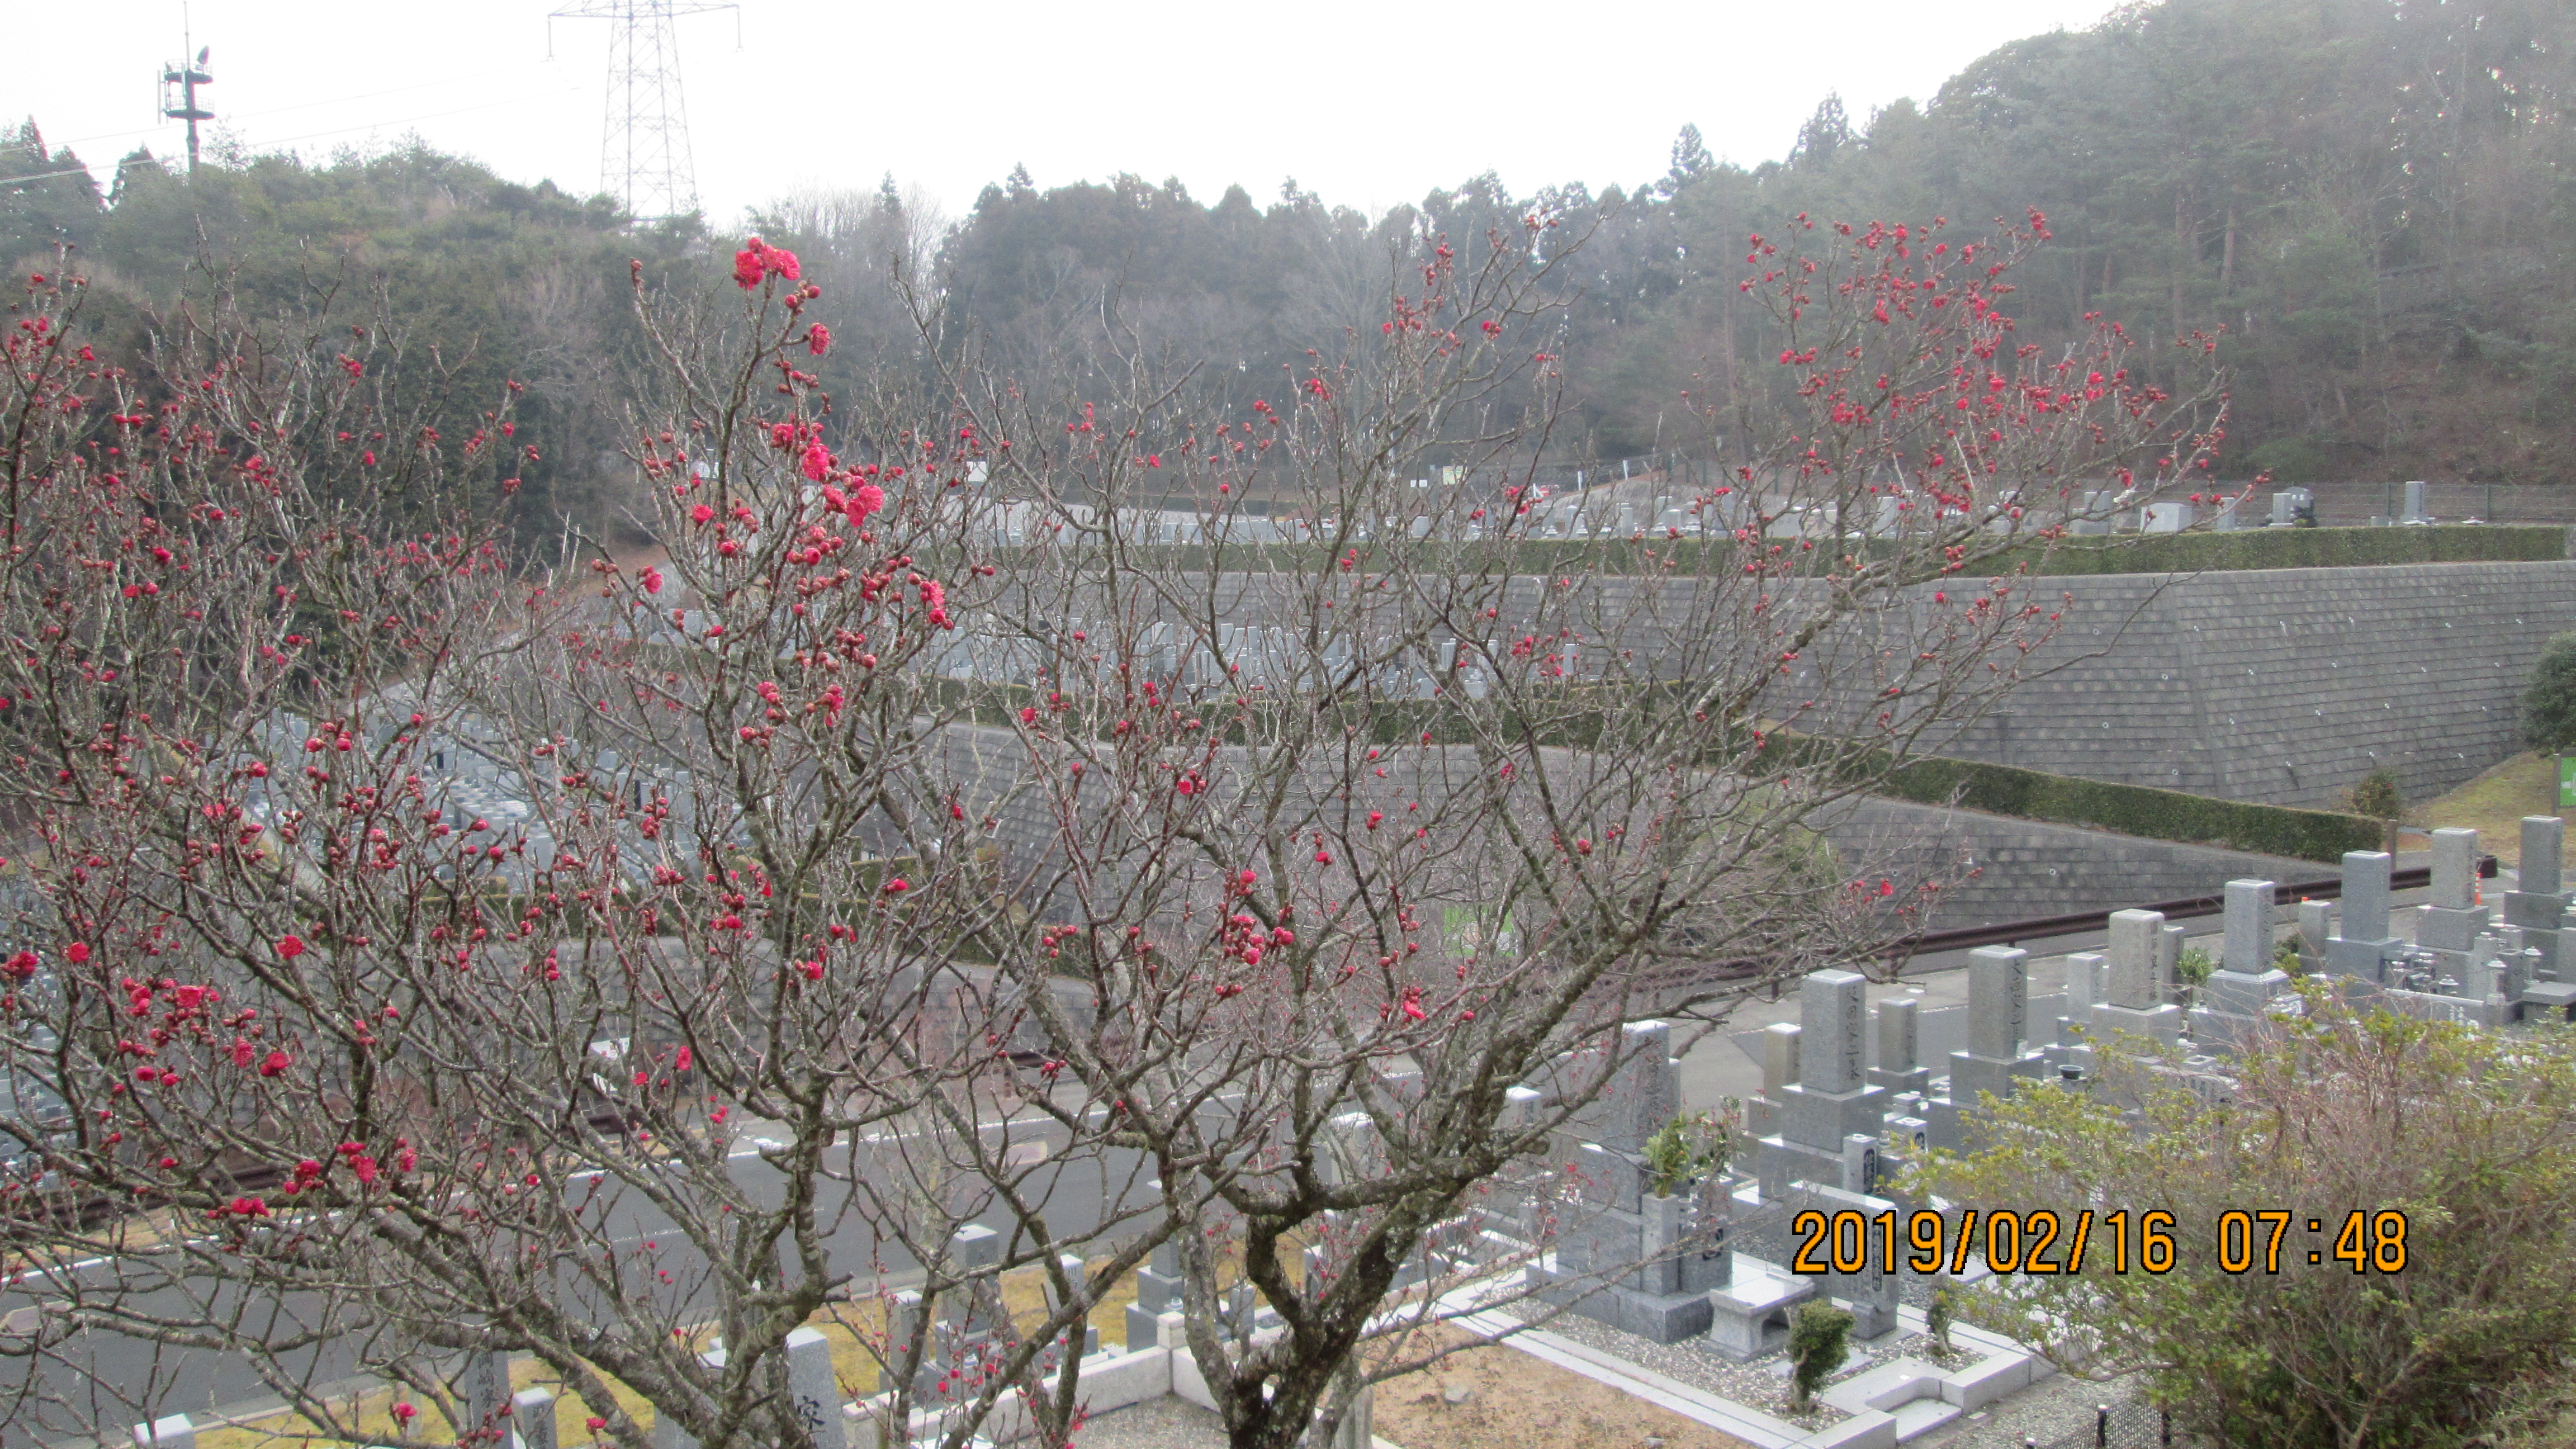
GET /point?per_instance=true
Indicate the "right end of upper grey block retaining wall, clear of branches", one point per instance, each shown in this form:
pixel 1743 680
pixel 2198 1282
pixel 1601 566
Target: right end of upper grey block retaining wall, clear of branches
pixel 2284 687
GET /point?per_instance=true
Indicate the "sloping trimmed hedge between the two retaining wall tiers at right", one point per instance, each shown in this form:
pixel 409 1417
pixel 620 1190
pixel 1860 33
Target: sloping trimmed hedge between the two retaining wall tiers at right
pixel 2137 811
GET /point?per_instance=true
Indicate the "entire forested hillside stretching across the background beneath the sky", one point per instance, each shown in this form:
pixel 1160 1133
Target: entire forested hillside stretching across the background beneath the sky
pixel 2374 200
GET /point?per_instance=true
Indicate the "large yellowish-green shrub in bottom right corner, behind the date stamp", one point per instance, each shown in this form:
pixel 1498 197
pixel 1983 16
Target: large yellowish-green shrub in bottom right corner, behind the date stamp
pixel 2343 1110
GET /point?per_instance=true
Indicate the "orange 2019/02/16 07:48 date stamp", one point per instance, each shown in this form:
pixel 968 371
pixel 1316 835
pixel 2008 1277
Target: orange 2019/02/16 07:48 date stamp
pixel 2044 1241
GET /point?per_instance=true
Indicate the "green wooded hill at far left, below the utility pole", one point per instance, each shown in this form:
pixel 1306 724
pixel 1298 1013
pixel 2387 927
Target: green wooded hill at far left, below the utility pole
pixel 493 282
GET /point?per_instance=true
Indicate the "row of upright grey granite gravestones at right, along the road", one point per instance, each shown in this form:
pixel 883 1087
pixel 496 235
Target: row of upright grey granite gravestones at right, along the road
pixel 1663 1267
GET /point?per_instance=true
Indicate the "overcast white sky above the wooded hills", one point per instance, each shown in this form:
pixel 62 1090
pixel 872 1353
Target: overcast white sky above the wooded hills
pixel 1364 102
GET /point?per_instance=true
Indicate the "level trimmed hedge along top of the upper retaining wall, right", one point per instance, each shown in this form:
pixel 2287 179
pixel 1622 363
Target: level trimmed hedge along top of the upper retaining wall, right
pixel 2309 548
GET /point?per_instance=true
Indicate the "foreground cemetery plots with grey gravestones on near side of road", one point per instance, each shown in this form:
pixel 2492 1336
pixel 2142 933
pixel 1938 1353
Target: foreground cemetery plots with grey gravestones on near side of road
pixel 1683 1290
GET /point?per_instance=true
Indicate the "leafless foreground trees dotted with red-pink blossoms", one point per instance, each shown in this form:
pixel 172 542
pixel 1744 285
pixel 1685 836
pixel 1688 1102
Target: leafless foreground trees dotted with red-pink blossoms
pixel 931 883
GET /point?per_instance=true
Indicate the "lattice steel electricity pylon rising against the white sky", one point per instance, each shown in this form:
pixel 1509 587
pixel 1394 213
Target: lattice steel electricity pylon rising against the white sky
pixel 645 141
